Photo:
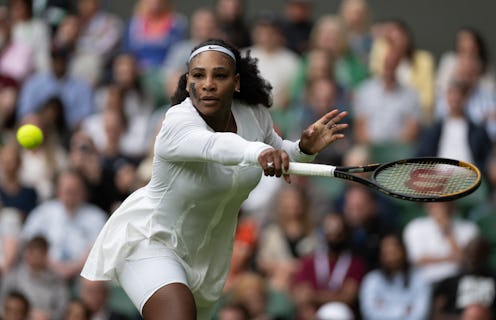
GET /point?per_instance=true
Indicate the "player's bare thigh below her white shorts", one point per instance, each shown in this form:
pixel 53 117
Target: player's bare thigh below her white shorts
pixel 173 301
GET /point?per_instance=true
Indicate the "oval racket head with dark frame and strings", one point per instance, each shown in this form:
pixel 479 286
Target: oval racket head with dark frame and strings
pixel 427 179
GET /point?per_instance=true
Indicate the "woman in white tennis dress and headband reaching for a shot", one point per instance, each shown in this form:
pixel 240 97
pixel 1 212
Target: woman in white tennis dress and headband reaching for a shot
pixel 169 244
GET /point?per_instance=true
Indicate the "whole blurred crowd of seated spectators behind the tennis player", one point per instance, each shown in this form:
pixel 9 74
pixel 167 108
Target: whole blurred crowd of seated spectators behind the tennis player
pixel 98 86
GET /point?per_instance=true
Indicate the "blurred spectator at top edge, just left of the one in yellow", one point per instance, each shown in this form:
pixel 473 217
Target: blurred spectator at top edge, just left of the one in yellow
pixel 357 17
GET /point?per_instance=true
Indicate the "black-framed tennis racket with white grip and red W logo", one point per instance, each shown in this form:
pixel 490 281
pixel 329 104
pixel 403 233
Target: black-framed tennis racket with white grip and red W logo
pixel 415 179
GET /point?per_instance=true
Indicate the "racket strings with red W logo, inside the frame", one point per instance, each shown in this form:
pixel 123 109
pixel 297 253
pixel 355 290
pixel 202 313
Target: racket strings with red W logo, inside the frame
pixel 426 179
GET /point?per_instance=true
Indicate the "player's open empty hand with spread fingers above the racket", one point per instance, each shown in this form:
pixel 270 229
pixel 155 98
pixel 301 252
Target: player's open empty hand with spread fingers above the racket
pixel 323 132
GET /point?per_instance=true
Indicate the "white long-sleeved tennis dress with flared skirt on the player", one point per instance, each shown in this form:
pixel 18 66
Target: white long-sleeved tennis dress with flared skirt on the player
pixel 190 206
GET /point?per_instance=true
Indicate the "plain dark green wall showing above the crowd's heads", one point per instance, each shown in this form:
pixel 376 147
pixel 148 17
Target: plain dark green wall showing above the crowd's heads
pixel 433 22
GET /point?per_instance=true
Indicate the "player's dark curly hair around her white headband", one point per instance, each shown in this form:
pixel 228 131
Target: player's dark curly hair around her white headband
pixel 254 90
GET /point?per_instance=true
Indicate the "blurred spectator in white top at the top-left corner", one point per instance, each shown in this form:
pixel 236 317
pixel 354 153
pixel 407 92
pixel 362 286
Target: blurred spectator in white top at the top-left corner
pixel 31 32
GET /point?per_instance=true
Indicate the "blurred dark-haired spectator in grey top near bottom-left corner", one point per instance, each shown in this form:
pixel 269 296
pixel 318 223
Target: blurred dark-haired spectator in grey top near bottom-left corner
pixel 48 294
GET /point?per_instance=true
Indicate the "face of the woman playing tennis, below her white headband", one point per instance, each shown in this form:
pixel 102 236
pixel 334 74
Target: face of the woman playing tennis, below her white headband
pixel 211 82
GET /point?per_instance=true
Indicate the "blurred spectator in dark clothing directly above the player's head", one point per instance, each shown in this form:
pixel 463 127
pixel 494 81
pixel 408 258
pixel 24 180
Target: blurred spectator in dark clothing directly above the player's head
pixel 234 29
